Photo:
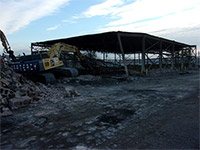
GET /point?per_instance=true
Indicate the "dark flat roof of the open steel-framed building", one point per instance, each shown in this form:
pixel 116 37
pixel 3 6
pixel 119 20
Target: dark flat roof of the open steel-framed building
pixel 132 42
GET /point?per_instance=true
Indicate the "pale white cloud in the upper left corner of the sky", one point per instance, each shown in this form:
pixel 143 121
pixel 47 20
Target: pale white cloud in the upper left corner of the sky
pixel 16 14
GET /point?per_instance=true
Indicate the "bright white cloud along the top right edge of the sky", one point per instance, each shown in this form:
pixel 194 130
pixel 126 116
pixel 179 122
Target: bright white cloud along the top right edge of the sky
pixel 143 10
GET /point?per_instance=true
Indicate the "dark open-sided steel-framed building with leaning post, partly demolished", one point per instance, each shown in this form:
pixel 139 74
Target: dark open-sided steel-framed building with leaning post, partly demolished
pixel 178 54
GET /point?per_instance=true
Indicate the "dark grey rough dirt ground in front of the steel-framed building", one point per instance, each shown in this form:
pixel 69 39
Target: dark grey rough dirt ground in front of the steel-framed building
pixel 155 112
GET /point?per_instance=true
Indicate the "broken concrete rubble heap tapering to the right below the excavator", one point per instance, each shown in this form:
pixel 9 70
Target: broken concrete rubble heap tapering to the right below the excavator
pixel 17 91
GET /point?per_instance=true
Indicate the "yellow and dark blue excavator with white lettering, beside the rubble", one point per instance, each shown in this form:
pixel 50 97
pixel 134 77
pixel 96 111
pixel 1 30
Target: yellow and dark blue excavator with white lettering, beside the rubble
pixel 44 64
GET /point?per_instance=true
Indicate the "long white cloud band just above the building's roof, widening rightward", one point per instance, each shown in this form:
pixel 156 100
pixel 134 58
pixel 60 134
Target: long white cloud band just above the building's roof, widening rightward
pixel 173 21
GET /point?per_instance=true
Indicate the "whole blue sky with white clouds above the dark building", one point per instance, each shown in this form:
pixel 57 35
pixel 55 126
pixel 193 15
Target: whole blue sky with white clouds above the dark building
pixel 27 21
